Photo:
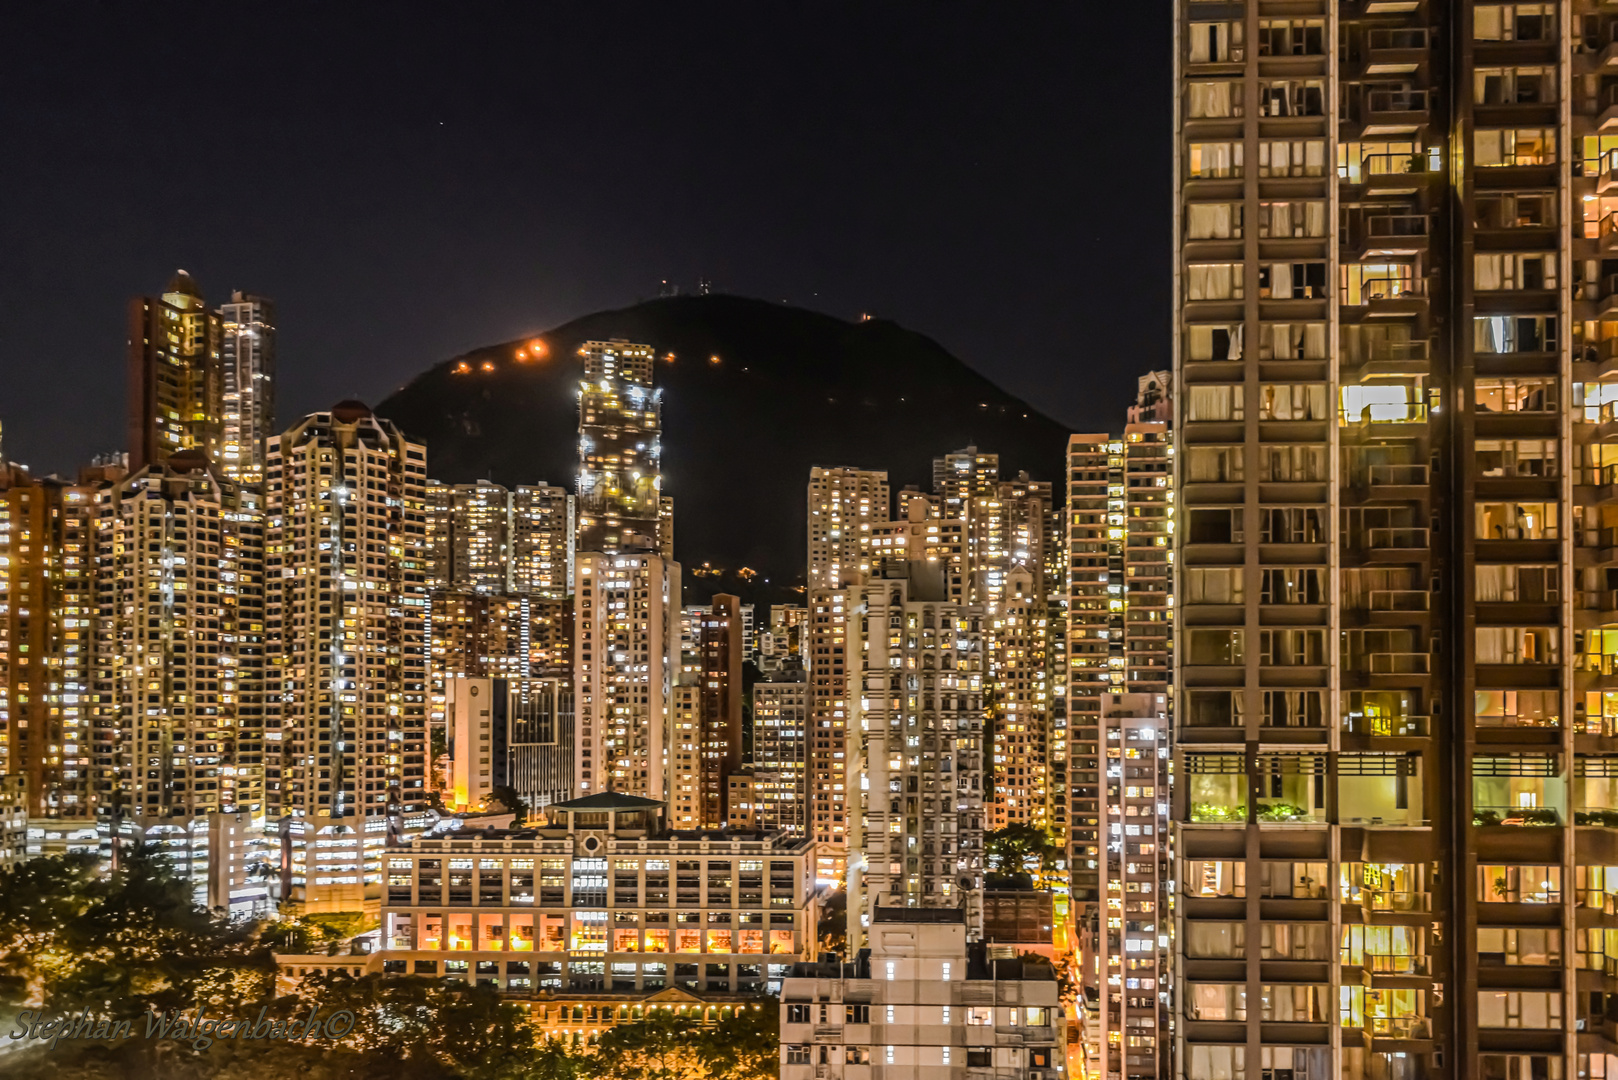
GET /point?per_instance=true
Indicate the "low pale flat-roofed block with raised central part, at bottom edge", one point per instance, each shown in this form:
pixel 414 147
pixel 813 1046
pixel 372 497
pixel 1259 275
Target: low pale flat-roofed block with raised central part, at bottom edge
pixel 921 1005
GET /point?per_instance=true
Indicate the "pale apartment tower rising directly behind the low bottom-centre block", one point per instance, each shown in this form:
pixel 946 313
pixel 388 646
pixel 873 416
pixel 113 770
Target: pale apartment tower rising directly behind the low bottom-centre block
pixel 915 744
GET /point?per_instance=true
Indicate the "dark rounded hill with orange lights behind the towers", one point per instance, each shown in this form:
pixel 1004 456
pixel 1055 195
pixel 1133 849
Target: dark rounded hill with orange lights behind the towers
pixel 755 396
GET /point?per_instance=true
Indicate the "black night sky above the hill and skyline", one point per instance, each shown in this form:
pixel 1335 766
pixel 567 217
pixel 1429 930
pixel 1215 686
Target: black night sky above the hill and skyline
pixel 410 185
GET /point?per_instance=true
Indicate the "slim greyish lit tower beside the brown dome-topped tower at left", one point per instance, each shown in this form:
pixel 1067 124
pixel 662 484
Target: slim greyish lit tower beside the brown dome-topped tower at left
pixel 247 386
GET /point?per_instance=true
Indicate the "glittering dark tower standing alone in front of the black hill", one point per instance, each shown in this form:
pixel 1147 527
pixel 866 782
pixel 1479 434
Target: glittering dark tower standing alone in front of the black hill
pixel 621 453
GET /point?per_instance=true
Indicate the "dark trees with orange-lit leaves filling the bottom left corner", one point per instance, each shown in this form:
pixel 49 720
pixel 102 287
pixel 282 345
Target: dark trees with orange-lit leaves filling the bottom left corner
pixel 133 943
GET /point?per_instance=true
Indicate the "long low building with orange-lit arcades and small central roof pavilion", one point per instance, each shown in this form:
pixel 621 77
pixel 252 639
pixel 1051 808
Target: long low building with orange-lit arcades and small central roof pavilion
pixel 603 908
